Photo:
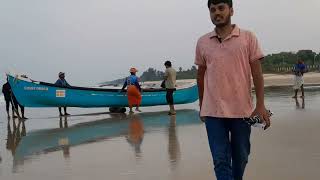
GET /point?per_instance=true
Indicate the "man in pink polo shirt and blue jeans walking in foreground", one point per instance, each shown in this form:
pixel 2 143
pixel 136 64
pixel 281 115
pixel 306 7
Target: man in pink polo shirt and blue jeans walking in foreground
pixel 227 57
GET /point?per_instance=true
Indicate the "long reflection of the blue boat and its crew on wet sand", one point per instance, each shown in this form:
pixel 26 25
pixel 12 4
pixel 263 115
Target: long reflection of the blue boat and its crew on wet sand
pixel 133 127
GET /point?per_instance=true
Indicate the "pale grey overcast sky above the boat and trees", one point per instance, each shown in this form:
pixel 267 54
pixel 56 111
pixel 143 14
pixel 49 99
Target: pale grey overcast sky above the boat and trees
pixel 98 40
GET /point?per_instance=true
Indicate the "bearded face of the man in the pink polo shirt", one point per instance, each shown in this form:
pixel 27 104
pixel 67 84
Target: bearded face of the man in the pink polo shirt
pixel 220 14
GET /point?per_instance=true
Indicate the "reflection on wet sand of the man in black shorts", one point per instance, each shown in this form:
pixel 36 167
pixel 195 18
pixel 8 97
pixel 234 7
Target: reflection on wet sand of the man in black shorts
pixel 173 143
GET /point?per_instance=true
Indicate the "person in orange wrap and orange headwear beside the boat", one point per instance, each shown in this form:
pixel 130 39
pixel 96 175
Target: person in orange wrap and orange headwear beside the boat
pixel 133 90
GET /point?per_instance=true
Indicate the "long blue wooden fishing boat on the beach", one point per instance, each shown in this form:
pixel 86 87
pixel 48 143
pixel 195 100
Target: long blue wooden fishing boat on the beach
pixel 31 93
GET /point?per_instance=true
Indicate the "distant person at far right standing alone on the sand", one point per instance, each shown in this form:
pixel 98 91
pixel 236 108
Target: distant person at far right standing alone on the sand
pixel 299 69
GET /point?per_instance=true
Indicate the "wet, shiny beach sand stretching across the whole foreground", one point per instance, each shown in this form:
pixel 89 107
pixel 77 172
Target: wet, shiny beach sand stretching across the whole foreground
pixel 93 144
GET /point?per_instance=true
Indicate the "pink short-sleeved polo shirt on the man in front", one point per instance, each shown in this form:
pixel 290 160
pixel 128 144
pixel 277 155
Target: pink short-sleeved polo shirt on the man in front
pixel 227 80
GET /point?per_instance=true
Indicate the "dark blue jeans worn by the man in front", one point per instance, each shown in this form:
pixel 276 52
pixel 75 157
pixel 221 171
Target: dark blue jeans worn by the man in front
pixel 229 141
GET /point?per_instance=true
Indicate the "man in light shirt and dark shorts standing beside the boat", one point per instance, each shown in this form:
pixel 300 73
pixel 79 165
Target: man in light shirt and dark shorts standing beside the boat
pixel 170 85
